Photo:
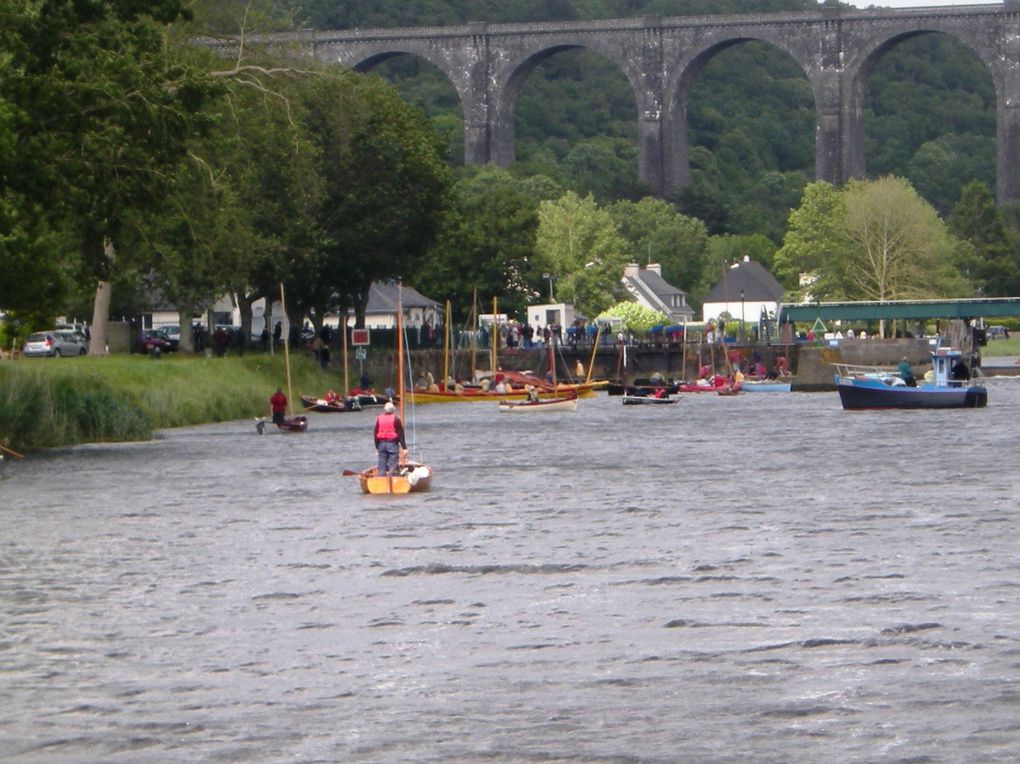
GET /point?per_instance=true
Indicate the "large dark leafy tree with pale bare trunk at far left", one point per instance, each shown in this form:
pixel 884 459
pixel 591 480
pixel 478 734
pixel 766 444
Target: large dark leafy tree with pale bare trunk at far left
pixel 109 109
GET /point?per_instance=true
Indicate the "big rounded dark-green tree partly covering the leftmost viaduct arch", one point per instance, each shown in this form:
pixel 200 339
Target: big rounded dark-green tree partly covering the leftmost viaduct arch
pixel 386 186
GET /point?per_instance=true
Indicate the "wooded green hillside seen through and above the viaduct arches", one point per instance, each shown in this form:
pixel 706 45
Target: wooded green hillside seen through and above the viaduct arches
pixel 930 111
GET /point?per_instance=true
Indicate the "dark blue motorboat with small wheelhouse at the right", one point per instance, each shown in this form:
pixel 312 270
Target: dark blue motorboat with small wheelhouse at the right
pixel 872 388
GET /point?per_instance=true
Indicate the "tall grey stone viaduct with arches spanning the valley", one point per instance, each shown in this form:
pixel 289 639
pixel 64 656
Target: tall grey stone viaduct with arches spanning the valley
pixel 661 58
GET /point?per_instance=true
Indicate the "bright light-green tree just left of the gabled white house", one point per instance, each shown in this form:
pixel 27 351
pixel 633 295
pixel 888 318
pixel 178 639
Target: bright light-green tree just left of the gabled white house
pixel 581 246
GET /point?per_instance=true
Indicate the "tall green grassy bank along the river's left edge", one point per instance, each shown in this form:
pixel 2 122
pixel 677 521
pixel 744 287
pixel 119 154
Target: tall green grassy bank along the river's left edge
pixel 59 402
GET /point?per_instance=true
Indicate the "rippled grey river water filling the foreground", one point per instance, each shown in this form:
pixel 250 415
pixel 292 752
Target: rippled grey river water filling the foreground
pixel 759 579
